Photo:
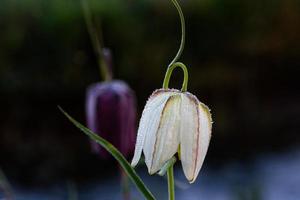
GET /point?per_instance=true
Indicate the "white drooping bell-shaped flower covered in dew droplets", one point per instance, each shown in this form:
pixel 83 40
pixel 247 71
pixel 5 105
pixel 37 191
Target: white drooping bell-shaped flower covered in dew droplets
pixel 173 119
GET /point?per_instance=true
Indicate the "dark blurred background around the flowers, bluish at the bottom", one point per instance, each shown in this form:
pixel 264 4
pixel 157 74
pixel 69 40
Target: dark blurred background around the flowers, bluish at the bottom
pixel 243 58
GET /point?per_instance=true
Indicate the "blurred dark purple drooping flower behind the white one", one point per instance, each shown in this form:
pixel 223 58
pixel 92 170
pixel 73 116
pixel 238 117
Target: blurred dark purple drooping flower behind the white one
pixel 111 113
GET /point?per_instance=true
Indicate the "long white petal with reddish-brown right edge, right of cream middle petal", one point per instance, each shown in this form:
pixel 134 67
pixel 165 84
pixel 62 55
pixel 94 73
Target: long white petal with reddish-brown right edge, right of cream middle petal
pixel 189 135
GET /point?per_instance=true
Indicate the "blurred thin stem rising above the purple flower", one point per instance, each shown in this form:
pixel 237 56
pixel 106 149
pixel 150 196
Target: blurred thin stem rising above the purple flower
pixel 95 39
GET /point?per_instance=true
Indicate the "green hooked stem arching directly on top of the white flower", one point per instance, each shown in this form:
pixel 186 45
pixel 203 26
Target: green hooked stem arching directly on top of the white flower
pixel 169 73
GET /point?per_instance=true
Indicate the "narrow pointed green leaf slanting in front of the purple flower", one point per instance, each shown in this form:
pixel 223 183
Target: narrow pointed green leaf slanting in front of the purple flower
pixel 116 154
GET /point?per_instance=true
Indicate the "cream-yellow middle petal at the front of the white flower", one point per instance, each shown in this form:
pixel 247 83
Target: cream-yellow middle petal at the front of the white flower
pixel 167 139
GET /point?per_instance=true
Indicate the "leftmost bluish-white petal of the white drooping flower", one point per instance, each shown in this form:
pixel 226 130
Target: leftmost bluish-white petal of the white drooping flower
pixel 148 125
